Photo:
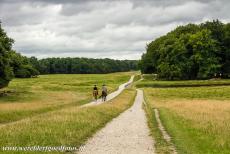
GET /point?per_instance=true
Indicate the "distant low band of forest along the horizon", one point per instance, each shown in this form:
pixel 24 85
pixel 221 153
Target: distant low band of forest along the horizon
pixel 82 65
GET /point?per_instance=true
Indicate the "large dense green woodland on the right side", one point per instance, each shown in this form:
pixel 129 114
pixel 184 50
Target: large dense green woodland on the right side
pixel 190 52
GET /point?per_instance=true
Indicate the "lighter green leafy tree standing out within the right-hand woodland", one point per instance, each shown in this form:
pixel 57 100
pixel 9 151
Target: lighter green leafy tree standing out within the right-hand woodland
pixel 204 54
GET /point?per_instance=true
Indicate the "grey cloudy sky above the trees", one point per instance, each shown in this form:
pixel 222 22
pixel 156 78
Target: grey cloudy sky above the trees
pixel 116 29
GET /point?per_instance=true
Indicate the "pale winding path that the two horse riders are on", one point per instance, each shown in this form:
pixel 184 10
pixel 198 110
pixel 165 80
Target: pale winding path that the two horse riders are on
pixel 112 95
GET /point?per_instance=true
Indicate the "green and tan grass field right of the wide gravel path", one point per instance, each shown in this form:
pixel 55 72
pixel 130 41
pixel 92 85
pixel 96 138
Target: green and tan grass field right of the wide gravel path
pixel 197 118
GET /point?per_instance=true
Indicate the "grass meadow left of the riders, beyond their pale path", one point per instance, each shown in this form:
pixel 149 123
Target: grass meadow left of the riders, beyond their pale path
pixel 33 96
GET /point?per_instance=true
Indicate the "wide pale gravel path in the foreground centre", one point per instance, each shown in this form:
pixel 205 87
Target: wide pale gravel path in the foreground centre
pixel 128 133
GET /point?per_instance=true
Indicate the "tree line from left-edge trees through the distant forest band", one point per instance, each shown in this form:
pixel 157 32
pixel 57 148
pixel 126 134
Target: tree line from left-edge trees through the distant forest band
pixel 13 64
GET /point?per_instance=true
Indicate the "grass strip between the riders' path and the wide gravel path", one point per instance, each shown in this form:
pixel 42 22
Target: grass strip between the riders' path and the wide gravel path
pixel 70 126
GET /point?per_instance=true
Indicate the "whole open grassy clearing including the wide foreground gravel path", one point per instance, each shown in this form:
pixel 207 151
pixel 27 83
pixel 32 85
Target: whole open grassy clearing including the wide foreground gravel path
pixel 195 118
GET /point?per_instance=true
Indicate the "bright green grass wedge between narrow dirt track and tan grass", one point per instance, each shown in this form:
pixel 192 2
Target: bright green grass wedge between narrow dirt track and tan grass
pixel 192 140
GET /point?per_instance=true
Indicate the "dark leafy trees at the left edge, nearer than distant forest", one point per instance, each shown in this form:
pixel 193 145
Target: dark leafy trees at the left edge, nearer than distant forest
pixel 12 63
